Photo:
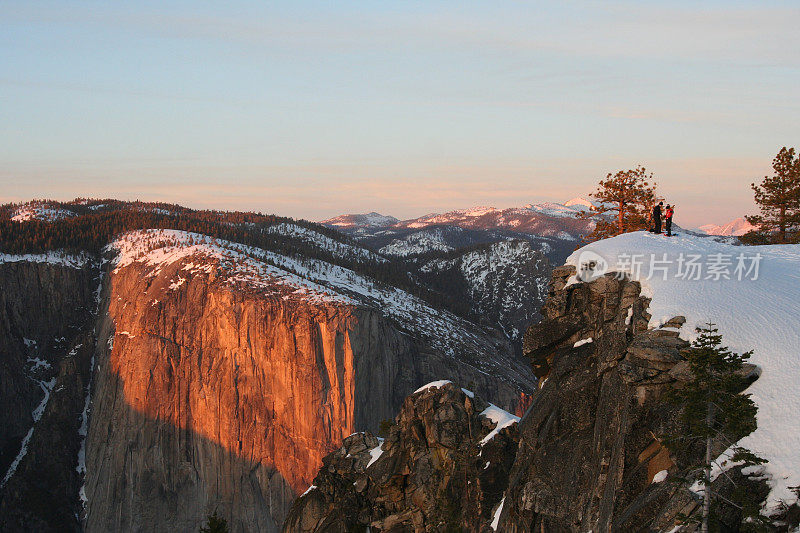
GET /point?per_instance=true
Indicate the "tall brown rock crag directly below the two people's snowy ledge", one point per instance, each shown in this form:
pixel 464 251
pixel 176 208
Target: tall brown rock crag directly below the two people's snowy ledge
pixel 590 455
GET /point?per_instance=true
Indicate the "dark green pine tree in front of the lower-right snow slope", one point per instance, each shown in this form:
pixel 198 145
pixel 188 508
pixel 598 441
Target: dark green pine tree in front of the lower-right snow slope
pixel 714 407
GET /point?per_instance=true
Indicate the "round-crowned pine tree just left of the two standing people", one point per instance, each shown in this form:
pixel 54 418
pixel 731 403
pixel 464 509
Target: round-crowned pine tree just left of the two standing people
pixel 625 200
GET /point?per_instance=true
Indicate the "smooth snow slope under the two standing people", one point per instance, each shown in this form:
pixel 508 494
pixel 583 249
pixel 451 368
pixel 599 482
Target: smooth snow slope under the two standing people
pixel 752 294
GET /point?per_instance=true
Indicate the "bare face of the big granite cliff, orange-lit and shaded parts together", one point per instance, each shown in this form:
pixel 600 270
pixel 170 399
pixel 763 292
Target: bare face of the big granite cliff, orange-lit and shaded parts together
pixel 214 393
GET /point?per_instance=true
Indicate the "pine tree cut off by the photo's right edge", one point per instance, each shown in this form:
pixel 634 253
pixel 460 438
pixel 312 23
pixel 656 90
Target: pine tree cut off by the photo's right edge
pixel 778 197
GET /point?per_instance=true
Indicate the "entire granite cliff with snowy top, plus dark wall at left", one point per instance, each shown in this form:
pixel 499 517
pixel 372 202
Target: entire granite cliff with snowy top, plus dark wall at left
pixel 188 375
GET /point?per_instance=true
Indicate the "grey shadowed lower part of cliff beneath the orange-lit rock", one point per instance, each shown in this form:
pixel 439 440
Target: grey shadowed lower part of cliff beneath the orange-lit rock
pixel 146 474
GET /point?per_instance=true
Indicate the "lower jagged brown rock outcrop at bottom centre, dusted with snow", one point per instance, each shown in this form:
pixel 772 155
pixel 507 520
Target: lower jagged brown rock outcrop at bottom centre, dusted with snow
pixel 441 468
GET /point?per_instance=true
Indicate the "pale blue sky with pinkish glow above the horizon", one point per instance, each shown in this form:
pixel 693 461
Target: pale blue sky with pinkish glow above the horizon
pixel 314 109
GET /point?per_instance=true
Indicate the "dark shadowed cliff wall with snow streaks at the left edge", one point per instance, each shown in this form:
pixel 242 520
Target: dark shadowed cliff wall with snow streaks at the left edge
pixel 46 311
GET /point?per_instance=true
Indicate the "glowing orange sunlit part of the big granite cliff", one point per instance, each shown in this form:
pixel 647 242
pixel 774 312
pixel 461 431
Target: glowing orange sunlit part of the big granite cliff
pixel 268 377
